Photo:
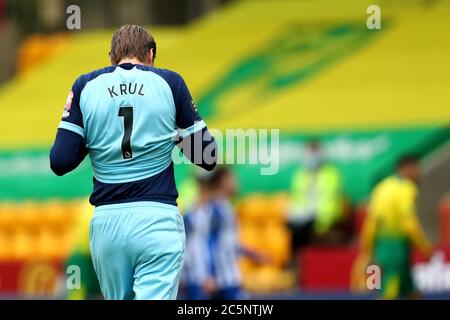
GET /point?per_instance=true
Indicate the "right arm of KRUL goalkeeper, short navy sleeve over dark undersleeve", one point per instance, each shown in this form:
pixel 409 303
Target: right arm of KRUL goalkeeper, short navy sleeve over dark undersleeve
pixel 194 139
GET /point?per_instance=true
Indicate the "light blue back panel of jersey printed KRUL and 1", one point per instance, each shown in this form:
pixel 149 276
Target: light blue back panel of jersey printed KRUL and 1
pixel 129 122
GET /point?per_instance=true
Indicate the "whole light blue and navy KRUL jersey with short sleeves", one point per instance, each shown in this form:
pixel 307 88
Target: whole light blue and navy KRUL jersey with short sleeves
pixel 130 116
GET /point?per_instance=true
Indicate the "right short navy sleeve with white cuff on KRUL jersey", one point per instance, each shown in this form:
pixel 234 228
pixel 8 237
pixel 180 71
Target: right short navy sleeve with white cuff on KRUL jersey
pixel 188 120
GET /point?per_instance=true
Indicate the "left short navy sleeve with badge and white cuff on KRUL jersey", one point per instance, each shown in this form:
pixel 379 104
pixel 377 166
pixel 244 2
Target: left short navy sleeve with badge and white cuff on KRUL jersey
pixel 72 118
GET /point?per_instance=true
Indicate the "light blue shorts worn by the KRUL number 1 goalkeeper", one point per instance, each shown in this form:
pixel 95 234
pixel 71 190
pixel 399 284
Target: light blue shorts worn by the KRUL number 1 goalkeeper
pixel 137 250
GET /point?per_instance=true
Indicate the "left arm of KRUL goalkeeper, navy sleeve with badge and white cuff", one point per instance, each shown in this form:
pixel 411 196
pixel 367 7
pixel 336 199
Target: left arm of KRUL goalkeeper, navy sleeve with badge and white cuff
pixel 69 148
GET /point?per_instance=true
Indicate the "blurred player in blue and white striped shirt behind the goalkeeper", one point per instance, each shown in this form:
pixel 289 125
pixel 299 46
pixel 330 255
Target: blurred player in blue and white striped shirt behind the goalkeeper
pixel 213 246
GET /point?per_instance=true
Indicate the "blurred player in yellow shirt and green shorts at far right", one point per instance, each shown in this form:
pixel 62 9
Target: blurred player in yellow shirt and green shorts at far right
pixel 392 229
